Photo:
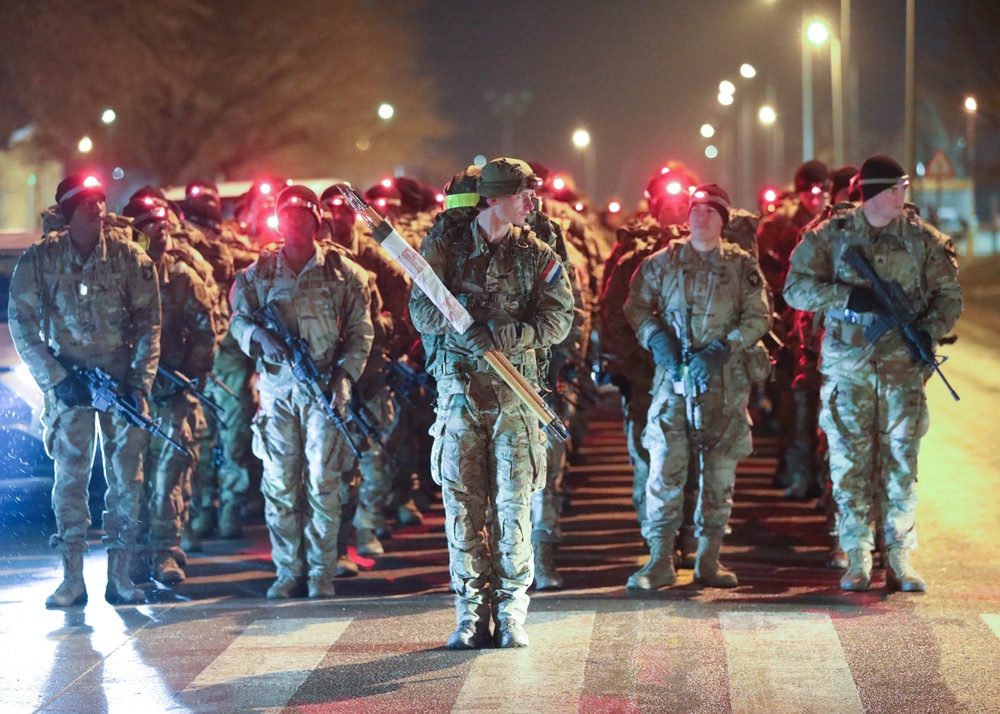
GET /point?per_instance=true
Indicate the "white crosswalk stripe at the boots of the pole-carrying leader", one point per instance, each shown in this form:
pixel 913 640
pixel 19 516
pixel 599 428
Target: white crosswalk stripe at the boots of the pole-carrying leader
pixel 547 676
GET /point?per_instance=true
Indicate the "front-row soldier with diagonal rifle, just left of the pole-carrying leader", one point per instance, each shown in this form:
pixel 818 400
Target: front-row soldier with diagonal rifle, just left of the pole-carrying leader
pixel 323 299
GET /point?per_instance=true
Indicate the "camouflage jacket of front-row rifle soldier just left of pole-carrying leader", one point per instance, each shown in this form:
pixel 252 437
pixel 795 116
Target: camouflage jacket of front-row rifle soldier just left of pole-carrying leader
pixel 327 304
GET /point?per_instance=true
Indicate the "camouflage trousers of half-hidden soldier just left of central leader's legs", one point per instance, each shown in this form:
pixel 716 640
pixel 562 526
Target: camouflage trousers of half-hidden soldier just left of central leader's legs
pixel 377 476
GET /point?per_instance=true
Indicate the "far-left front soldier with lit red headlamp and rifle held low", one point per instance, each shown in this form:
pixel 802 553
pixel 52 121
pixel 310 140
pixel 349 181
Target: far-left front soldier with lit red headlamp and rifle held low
pixel 89 295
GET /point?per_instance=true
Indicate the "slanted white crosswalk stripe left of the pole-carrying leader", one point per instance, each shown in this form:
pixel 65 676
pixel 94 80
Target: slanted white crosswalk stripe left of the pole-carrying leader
pixel 264 667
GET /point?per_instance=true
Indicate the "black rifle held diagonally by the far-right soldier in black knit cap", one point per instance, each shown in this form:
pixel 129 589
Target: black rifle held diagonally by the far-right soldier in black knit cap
pixel 897 314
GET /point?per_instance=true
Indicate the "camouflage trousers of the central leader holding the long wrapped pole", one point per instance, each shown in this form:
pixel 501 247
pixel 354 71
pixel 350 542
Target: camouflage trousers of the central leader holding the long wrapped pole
pixel 488 457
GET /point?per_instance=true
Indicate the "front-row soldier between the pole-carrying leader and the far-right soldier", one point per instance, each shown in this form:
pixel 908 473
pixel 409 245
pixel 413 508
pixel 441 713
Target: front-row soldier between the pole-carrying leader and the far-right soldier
pixel 700 306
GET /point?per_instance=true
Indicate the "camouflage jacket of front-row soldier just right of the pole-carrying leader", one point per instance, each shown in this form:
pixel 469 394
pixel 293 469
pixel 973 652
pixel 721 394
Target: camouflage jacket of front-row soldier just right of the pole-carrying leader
pixel 698 299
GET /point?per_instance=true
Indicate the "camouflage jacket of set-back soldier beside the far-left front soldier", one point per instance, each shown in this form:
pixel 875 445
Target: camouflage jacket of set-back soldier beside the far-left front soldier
pixel 187 313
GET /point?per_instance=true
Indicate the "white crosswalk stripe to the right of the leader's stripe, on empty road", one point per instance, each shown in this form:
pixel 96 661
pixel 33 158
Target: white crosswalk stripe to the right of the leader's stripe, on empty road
pixel 787 663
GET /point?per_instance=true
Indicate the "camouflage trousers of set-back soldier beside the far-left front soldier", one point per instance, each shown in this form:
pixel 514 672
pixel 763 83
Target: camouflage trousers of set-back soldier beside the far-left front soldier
pixel 167 487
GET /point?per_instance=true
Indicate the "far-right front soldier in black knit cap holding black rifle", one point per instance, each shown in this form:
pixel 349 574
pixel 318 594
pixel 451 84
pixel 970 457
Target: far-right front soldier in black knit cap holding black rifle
pixel 874 410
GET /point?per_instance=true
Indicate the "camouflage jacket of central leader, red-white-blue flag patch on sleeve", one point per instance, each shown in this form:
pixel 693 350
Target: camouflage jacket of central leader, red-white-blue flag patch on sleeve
pixel 520 276
